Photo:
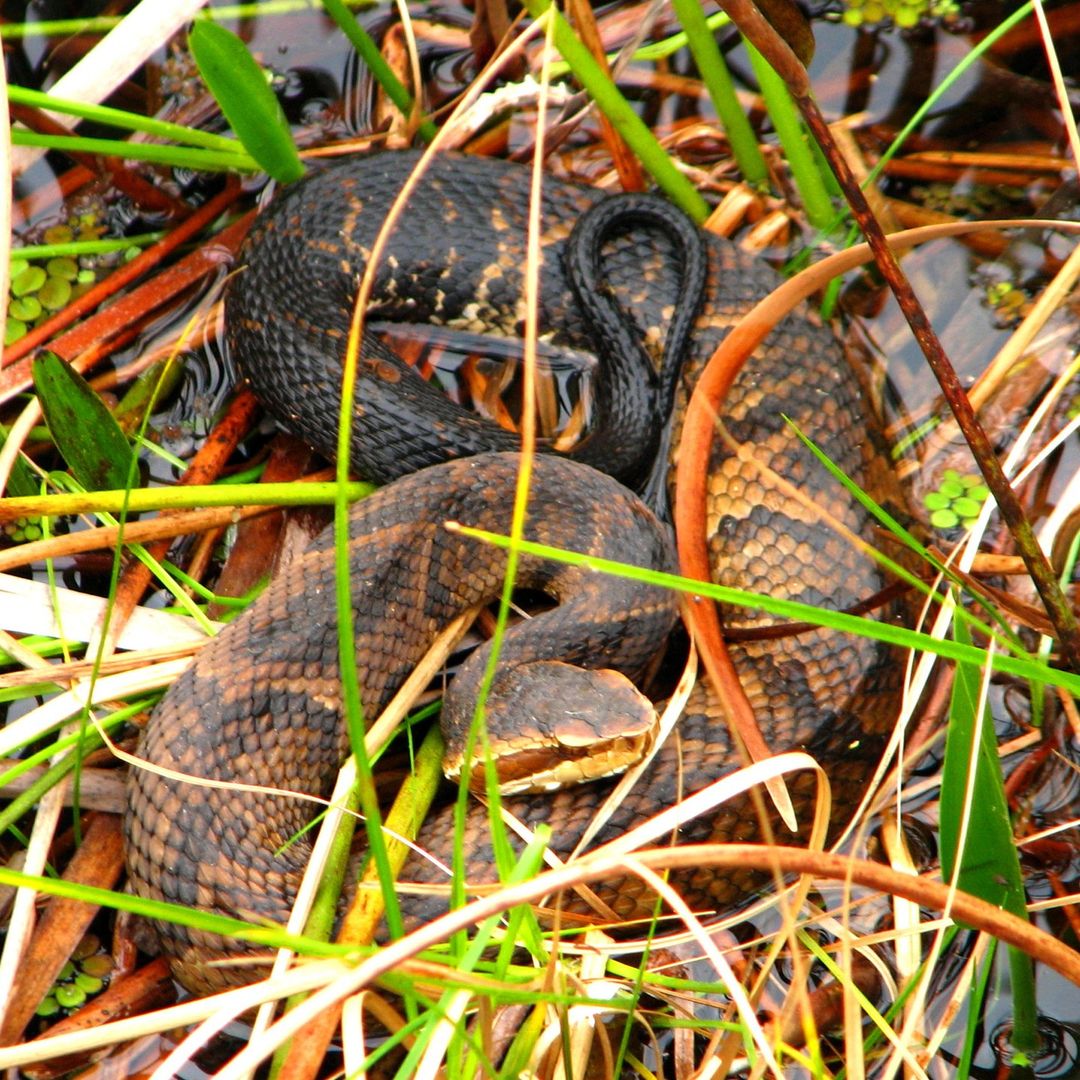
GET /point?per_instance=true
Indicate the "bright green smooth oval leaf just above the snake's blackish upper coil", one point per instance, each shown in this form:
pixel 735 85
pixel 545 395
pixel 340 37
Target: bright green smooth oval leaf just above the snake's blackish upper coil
pixel 240 88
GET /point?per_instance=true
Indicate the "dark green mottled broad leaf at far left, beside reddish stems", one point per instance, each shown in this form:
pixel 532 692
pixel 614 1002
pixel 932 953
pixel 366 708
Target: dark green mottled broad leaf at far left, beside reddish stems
pixel 96 449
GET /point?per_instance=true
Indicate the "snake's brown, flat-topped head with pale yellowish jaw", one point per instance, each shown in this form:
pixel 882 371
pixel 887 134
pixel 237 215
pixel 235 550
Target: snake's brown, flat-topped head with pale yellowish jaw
pixel 551 725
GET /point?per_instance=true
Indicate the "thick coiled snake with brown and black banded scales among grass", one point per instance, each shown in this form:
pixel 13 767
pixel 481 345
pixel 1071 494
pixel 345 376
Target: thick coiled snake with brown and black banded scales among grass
pixel 262 704
